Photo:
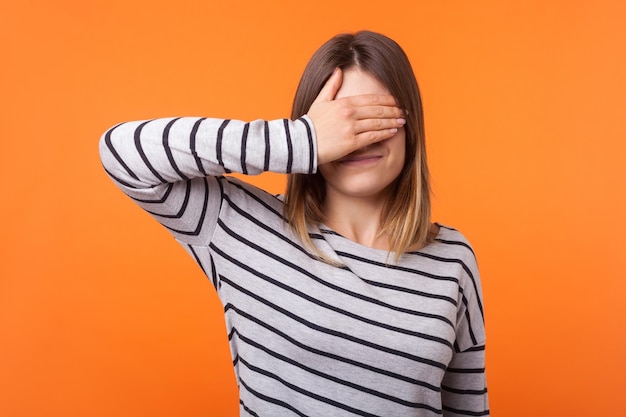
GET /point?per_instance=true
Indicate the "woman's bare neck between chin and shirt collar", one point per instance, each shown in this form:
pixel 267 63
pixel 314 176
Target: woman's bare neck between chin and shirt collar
pixel 357 219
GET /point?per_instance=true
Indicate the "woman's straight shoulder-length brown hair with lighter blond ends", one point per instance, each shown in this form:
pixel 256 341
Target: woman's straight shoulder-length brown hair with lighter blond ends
pixel 406 216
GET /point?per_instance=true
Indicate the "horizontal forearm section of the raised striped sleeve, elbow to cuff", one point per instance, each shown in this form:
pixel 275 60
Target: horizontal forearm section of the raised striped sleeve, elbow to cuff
pixel 146 154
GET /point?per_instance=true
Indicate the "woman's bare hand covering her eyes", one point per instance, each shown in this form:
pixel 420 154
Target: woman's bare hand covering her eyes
pixel 344 125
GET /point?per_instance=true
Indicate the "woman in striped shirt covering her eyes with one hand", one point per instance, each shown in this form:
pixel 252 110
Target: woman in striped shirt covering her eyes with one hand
pixel 342 298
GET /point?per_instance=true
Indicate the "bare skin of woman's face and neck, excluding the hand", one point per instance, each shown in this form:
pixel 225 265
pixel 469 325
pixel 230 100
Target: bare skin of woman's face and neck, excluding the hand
pixel 357 183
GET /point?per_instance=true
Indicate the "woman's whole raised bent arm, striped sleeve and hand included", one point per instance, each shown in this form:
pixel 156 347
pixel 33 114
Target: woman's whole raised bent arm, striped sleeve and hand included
pixel 170 166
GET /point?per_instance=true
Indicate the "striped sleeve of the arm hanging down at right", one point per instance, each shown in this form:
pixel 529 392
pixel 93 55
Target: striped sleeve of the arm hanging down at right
pixel 464 386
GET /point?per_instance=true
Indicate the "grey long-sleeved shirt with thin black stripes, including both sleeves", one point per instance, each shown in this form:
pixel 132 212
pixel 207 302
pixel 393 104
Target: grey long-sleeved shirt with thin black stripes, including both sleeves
pixel 307 338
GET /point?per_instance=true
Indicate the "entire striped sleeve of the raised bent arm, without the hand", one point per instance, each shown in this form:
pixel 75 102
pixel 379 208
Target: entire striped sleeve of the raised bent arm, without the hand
pixel 172 167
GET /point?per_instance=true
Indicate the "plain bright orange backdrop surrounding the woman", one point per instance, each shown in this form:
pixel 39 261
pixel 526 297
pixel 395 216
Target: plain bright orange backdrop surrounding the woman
pixel 103 314
